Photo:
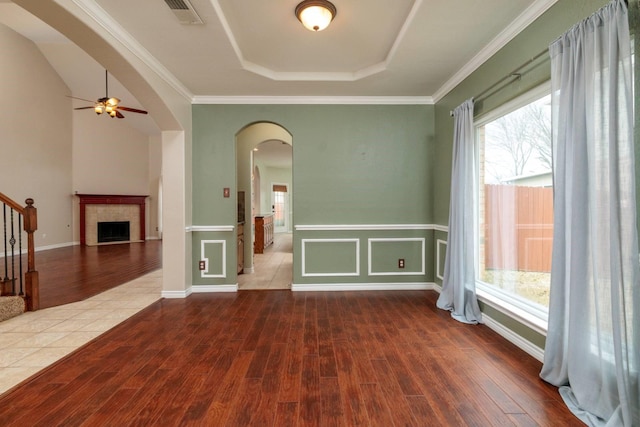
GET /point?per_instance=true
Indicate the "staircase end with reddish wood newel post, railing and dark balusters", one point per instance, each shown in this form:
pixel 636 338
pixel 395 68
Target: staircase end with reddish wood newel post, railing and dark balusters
pixel 18 279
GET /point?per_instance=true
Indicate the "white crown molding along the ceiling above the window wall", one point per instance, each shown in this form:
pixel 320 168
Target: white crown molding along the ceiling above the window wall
pixel 532 13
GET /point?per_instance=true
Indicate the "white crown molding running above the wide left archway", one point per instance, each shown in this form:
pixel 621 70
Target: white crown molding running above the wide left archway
pixel 113 28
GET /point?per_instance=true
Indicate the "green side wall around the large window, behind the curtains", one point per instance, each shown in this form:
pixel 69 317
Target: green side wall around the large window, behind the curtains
pixel 530 42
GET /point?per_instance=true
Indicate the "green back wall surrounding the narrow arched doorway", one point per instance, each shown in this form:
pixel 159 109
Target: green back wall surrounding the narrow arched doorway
pixel 352 164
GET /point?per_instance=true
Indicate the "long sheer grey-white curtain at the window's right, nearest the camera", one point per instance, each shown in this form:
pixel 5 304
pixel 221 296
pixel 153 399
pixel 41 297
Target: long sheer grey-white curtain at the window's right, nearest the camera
pixel 593 342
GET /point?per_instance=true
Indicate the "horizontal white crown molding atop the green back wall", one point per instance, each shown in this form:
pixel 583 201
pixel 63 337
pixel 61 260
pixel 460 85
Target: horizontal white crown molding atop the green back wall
pixel 315 100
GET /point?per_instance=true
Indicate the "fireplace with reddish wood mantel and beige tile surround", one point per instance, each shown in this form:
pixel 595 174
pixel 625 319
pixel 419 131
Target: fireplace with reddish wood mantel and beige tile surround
pixel 96 208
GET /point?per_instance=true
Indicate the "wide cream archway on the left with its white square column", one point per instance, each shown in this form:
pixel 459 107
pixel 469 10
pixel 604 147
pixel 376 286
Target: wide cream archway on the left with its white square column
pixel 171 113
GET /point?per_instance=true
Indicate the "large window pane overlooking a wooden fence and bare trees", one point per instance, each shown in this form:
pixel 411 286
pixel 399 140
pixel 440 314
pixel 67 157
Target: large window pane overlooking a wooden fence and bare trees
pixel 515 203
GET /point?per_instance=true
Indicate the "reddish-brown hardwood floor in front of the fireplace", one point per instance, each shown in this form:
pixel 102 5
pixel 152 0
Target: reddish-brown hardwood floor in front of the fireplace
pixel 75 273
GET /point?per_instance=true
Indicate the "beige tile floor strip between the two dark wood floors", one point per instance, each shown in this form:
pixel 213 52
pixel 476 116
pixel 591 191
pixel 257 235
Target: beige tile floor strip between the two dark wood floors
pixel 34 340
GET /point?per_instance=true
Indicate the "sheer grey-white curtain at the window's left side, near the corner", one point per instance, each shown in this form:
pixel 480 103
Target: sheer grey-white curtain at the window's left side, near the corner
pixel 458 287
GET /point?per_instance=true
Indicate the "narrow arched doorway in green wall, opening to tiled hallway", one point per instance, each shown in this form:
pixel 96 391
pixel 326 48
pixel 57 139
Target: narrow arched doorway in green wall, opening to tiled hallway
pixel 264 166
